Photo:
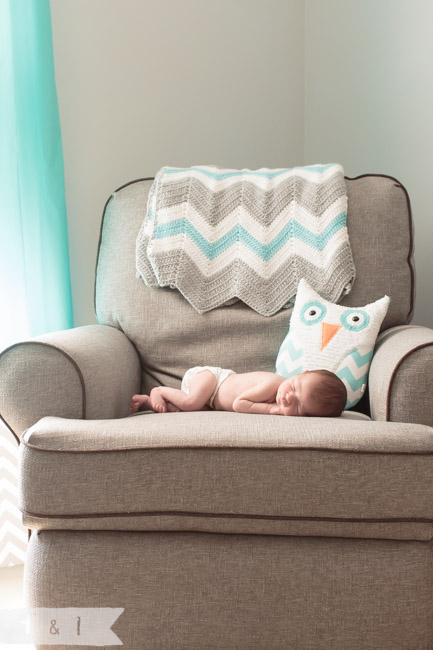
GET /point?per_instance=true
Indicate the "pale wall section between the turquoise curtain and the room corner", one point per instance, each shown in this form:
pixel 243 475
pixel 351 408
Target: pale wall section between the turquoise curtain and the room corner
pixel 143 84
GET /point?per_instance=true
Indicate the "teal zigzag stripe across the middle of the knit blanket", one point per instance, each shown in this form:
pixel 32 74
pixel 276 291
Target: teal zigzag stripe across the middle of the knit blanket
pixel 266 251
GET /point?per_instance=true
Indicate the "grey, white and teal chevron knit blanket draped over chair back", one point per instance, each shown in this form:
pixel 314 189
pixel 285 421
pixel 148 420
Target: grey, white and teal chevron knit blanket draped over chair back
pixel 223 234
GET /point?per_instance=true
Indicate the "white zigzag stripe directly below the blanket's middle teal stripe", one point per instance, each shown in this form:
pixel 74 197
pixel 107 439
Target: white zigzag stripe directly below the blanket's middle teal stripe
pixel 265 269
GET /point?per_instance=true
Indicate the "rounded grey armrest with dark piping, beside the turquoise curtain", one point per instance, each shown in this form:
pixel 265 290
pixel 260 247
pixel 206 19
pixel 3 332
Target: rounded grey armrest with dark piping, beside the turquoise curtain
pixel 87 372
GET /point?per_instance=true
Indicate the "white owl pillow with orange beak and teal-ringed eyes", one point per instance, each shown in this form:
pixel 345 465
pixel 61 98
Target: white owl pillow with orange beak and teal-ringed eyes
pixel 337 338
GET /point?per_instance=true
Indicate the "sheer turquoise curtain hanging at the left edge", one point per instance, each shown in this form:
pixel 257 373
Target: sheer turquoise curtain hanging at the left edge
pixel 35 291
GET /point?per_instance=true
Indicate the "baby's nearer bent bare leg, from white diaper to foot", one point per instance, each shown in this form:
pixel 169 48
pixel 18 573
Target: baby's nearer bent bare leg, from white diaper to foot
pixel 201 388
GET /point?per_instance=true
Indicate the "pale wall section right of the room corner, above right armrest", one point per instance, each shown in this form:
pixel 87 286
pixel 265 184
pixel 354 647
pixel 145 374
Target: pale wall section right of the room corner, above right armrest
pixel 369 103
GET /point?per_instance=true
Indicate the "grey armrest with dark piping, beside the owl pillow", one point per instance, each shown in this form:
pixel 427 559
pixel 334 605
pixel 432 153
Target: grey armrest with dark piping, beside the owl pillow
pixel 401 376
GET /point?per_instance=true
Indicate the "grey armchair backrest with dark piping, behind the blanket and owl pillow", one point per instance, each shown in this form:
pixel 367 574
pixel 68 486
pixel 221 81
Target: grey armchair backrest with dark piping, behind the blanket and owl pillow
pixel 171 336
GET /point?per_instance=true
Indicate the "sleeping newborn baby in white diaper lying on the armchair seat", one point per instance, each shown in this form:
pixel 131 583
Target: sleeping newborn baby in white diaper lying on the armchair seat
pixel 317 393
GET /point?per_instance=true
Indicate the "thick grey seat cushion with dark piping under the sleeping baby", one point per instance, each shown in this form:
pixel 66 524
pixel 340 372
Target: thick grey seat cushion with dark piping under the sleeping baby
pixel 230 472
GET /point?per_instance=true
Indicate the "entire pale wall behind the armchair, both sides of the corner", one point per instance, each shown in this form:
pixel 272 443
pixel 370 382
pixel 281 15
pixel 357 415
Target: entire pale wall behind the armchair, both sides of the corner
pixel 242 83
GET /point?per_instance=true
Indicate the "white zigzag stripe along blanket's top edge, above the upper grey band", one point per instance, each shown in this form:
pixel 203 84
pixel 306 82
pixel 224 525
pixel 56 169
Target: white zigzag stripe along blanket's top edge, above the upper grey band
pixel 261 181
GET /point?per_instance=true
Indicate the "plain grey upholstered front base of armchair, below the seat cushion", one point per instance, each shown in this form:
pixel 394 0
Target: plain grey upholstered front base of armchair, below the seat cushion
pixel 189 591
